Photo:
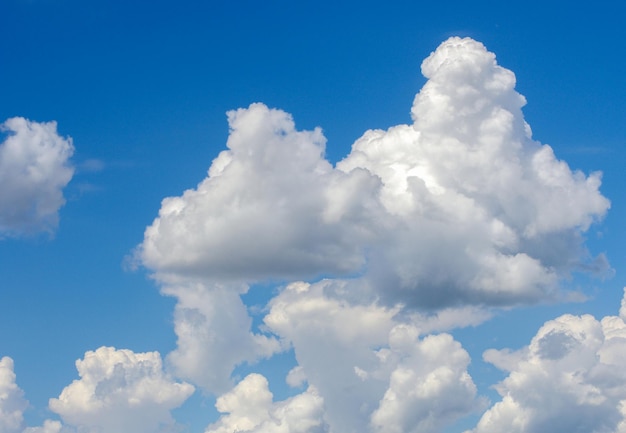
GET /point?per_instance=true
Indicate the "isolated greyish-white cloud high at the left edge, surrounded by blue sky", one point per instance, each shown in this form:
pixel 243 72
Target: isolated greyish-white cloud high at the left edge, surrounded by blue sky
pixel 34 169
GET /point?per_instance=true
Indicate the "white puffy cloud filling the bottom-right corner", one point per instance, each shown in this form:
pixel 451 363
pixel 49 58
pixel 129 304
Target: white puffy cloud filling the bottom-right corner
pixel 571 377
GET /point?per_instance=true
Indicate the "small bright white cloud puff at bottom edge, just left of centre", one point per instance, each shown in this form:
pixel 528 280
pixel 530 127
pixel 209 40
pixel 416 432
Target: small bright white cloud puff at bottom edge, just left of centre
pixel 248 408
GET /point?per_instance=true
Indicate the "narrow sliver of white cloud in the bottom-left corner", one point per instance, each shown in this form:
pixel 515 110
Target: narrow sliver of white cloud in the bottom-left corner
pixel 12 402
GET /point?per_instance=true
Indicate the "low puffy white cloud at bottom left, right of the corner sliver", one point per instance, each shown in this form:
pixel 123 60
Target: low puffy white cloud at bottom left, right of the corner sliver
pixel 120 391
